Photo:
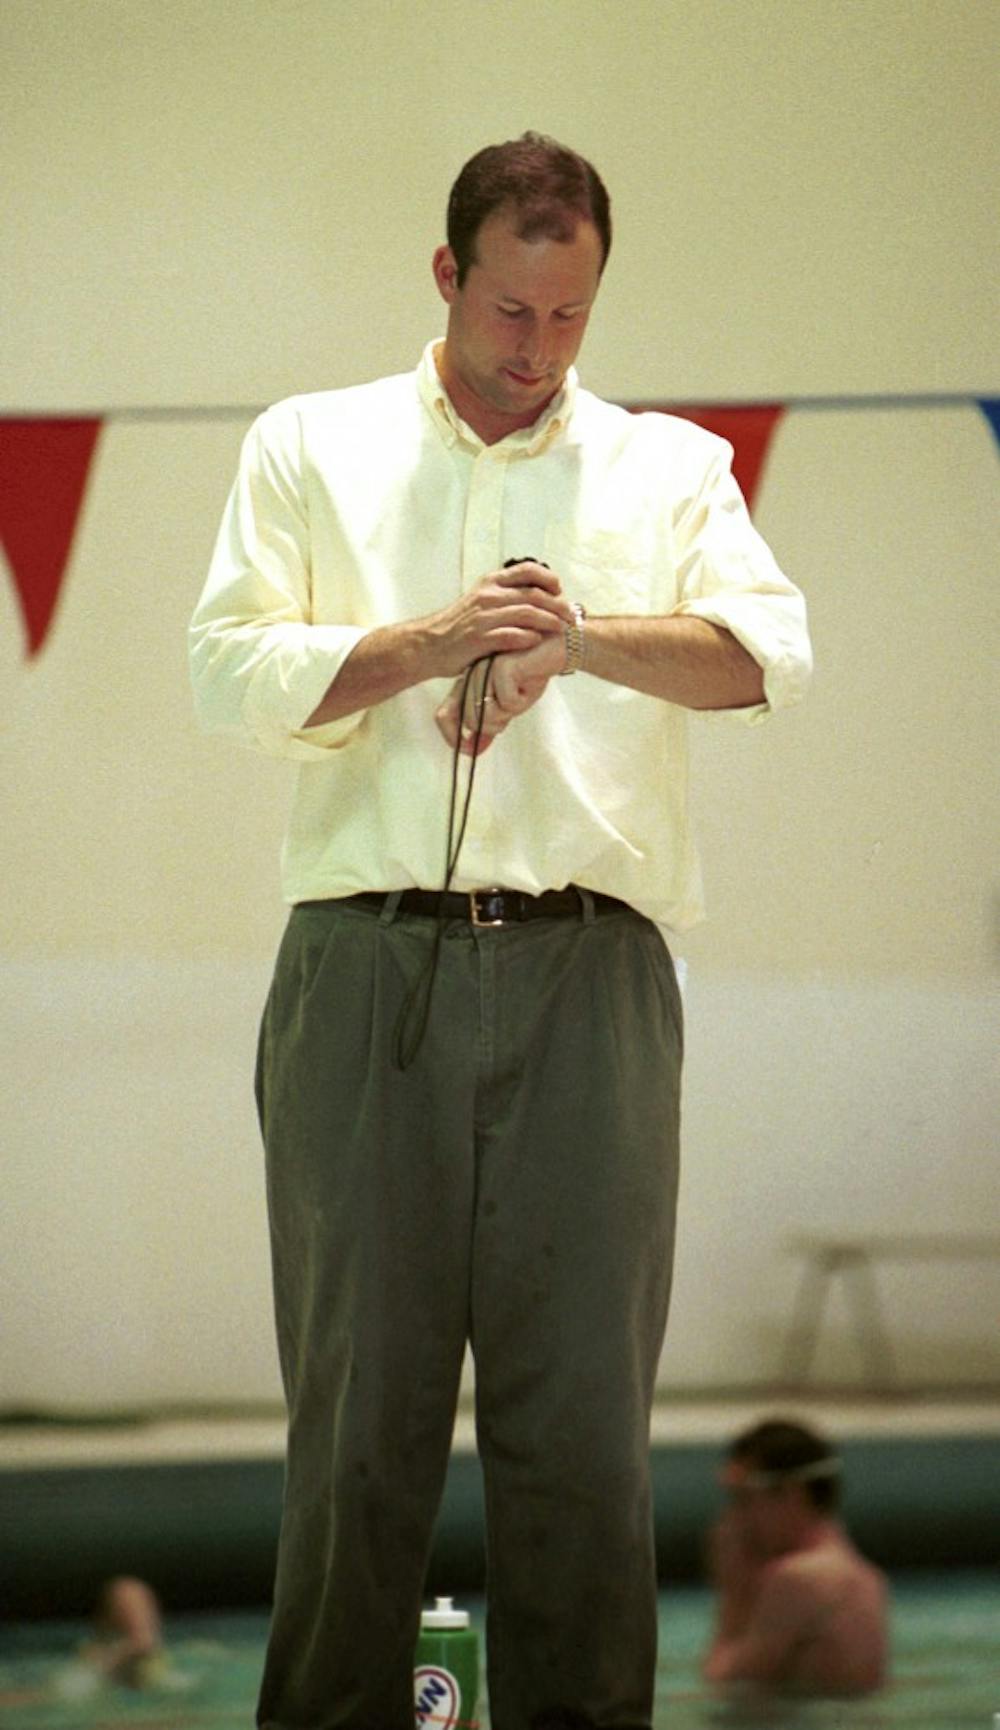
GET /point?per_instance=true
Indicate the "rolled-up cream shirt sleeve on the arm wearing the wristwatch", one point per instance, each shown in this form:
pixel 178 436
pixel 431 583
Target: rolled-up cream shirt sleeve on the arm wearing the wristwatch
pixel 729 577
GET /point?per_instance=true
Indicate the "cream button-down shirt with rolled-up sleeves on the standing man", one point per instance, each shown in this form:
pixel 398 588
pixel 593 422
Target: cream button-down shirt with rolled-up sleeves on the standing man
pixel 378 504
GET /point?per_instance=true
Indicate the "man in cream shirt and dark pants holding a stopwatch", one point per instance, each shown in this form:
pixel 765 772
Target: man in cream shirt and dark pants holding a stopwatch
pixel 470 1103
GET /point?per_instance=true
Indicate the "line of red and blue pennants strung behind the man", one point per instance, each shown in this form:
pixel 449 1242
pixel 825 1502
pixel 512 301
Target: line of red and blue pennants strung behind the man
pixel 46 463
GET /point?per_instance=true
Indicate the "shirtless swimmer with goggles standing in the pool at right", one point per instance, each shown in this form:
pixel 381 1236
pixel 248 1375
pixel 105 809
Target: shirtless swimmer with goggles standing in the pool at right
pixel 798 1606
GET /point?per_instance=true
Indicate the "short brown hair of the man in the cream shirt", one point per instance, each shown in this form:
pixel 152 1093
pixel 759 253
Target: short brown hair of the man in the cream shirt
pixel 549 186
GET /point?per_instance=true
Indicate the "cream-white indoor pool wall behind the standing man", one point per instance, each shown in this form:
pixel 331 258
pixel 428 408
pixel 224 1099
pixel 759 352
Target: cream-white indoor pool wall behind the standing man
pixel 222 205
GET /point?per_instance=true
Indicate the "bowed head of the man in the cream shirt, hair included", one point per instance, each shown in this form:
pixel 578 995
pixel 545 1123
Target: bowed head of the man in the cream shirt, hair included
pixel 529 236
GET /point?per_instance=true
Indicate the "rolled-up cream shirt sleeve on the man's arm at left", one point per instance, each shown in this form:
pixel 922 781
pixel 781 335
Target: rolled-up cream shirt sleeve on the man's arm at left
pixel 259 663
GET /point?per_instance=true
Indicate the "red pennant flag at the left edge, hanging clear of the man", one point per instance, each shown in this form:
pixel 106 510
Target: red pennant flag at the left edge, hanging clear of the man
pixel 44 468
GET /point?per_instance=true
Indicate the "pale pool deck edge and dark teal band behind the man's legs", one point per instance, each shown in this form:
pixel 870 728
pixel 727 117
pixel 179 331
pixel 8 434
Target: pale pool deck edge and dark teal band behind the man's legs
pixel 193 1501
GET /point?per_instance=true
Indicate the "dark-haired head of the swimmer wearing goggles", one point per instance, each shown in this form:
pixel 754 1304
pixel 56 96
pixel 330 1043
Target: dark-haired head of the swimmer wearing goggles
pixel 781 1478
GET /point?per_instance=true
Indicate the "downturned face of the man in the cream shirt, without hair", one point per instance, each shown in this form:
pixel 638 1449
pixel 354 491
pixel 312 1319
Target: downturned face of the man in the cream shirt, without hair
pixel 518 321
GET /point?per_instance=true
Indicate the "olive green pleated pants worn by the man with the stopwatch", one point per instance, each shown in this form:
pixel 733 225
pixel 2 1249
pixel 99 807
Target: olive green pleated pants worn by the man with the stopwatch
pixel 515 1188
